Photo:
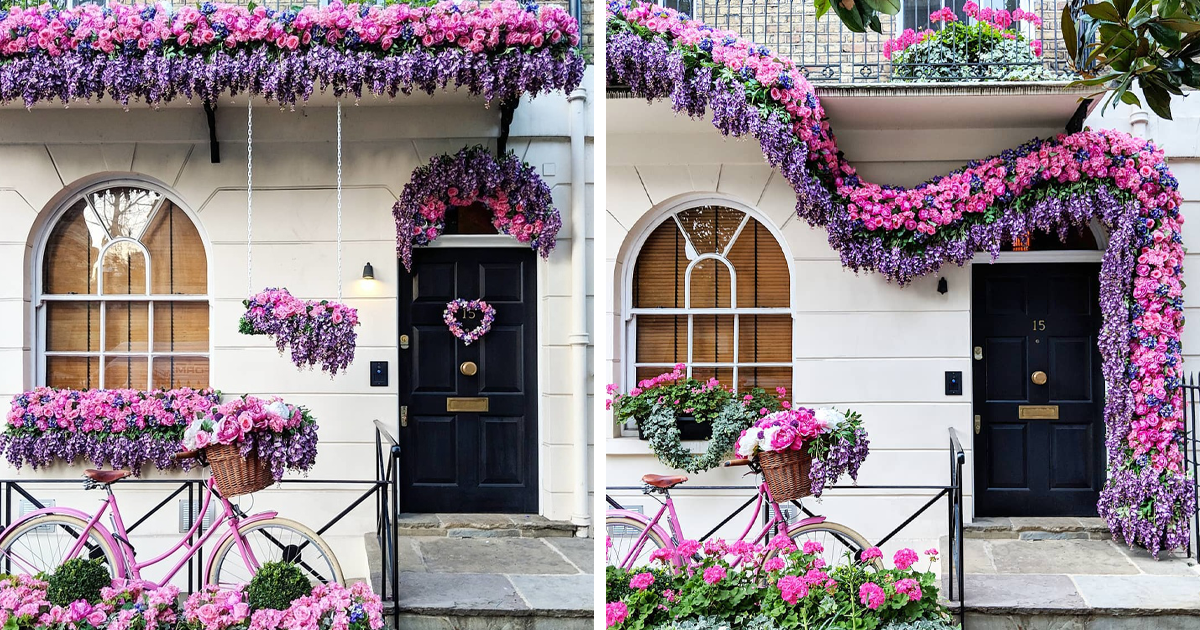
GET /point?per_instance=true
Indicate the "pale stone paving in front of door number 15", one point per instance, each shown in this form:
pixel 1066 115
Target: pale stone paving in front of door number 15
pixel 1070 575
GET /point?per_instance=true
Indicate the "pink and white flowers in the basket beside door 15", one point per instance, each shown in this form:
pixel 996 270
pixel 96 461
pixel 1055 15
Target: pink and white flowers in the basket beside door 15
pixel 836 440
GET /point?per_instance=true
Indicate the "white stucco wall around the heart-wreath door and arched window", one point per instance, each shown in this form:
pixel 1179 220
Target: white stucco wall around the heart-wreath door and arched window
pixel 47 151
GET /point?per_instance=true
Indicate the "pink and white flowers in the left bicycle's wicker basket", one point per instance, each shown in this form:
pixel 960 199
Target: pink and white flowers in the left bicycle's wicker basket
pixel 284 436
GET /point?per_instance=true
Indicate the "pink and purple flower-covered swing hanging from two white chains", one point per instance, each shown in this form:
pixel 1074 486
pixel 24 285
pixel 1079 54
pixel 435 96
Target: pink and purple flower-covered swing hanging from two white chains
pixel 320 333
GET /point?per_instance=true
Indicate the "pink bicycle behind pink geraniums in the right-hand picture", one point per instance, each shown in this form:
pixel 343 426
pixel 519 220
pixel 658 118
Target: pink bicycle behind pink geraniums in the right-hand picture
pixel 634 537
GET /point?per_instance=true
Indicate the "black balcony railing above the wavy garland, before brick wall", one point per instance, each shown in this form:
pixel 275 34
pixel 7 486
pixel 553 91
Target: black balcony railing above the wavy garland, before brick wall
pixel 830 53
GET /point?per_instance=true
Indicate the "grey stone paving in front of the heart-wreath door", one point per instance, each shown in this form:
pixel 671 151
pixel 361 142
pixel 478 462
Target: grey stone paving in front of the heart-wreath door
pixel 483 584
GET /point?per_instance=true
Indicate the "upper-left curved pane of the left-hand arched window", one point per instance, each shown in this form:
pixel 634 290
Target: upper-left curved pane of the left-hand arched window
pixel 71 254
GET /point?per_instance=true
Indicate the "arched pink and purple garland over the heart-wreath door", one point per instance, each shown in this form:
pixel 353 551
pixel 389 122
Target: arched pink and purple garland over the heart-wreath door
pixel 520 201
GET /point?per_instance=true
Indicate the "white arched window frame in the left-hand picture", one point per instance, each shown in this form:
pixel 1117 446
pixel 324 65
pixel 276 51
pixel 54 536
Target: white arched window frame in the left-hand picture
pixel 43 299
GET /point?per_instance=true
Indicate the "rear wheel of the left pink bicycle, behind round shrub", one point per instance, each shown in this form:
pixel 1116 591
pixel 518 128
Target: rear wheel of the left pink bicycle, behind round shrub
pixel 43 544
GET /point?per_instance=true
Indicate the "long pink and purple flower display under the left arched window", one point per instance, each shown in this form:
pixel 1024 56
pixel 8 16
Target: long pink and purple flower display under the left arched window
pixel 123 429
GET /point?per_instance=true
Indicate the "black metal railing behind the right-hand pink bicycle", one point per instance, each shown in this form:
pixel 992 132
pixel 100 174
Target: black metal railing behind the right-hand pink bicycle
pixel 952 493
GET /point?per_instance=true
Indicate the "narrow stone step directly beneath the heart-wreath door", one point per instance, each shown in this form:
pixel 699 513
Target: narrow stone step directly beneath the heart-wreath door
pixel 483 526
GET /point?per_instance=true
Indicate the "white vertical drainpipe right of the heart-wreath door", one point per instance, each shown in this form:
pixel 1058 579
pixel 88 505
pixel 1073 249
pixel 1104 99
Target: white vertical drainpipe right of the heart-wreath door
pixel 579 338
